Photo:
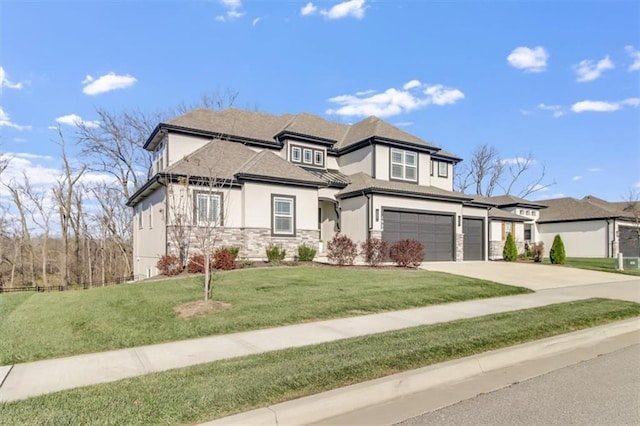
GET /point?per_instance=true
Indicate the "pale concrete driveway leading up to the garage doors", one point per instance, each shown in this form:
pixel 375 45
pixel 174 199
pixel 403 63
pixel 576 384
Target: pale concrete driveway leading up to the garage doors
pixel 534 276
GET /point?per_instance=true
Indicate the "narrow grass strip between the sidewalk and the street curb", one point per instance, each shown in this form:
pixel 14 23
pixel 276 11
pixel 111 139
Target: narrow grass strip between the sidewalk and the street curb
pixel 214 390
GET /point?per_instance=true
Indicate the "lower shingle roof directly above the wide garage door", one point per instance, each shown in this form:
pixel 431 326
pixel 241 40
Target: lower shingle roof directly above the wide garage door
pixel 361 182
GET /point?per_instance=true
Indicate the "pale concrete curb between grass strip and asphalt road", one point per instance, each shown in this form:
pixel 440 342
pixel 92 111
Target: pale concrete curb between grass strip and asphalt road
pixel 315 408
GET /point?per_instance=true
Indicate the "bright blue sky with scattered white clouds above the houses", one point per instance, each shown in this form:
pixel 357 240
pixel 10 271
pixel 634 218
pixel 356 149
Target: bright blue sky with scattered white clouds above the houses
pixel 559 80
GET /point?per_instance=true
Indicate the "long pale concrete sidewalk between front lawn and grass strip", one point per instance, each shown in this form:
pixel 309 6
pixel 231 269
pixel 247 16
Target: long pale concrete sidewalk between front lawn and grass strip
pixel 22 381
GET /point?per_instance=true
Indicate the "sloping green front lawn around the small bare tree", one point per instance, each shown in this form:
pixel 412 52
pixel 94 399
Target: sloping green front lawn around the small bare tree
pixel 46 325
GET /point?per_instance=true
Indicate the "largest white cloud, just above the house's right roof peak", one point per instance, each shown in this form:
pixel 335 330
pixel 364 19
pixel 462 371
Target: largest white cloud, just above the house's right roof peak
pixel 394 101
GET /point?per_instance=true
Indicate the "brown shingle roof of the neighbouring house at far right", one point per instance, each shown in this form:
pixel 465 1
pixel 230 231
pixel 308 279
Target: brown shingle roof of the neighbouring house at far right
pixel 589 208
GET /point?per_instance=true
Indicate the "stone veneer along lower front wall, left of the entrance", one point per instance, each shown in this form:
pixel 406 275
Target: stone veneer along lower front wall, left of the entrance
pixel 254 241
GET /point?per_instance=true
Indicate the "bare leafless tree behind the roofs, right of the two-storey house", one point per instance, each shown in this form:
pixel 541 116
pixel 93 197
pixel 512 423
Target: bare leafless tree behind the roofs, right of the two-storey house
pixel 486 171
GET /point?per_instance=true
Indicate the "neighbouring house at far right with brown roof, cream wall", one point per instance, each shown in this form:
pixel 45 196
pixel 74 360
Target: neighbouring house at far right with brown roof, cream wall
pixel 591 227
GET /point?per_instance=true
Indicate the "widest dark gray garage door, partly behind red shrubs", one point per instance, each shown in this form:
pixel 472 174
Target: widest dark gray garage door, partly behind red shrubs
pixel 435 231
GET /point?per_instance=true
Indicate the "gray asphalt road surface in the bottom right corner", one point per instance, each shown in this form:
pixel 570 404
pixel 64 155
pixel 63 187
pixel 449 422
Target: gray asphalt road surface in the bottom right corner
pixel 600 391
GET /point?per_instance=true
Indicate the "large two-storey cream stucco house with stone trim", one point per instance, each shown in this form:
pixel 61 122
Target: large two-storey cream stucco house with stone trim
pixel 292 179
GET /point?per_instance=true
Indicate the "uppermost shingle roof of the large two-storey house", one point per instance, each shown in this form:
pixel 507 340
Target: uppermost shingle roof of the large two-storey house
pixel 266 128
